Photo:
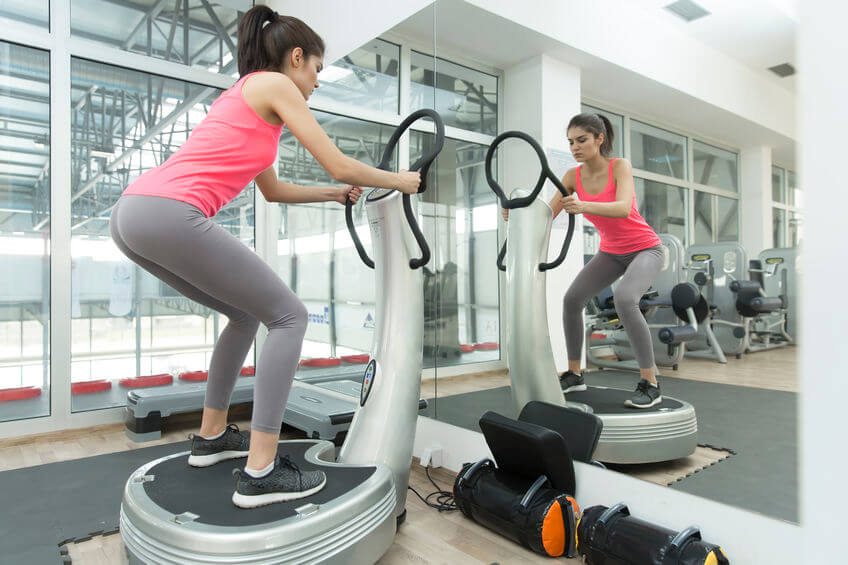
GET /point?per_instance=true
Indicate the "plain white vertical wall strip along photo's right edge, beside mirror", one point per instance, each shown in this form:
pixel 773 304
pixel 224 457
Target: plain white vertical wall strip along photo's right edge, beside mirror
pixel 823 47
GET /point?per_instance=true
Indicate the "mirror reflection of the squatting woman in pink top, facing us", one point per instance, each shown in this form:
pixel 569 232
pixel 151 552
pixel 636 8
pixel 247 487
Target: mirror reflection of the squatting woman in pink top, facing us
pixel 602 189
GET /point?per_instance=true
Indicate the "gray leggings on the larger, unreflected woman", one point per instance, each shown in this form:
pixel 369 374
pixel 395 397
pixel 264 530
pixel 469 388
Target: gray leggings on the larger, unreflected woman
pixel 175 242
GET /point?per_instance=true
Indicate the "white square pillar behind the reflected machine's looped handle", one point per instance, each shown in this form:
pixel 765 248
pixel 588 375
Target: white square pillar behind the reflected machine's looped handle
pixel 540 97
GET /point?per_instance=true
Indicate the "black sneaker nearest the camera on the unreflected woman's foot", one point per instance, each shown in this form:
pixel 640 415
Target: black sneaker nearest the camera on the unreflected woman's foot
pixel 285 482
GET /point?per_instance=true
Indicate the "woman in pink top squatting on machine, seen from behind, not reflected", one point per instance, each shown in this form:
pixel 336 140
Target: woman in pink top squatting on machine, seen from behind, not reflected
pixel 163 222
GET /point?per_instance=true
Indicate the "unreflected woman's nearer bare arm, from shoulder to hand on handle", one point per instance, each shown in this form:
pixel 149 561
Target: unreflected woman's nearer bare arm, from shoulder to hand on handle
pixel 288 103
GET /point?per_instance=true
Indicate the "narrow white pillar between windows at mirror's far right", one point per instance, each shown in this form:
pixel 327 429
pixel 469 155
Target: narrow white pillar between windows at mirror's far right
pixel 755 205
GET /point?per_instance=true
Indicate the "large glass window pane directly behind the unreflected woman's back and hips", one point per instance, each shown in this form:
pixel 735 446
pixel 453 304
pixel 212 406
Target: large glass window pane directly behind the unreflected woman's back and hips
pixel 126 322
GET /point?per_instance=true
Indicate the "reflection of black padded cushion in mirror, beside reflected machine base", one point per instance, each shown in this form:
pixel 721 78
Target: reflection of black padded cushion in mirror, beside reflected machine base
pixel 580 430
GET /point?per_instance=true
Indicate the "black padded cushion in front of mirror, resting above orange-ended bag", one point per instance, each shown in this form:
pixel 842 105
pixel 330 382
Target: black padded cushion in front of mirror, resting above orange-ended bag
pixel 526 450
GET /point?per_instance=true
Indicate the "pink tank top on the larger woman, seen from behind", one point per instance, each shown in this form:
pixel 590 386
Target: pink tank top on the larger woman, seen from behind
pixel 223 153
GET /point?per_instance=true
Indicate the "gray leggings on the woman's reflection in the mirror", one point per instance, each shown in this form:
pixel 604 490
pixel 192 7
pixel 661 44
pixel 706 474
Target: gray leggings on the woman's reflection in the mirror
pixel 640 268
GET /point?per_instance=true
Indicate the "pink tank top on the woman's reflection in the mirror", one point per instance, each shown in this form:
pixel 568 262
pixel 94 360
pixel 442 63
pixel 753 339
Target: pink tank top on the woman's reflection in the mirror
pixel 618 235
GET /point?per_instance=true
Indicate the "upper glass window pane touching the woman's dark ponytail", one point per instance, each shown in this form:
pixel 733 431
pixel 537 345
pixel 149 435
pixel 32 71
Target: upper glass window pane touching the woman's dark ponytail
pixel 193 32
